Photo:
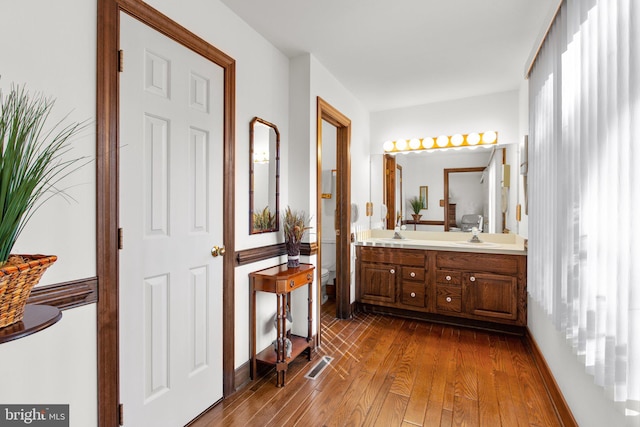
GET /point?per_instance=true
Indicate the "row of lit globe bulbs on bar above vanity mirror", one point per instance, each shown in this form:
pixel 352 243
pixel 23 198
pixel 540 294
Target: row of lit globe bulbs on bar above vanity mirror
pixel 443 141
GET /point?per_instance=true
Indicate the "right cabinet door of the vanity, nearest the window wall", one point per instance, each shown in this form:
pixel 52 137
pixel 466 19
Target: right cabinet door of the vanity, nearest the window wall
pixel 490 295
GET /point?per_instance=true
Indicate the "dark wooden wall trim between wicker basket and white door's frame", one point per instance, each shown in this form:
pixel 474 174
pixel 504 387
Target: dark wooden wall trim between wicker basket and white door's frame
pixel 66 295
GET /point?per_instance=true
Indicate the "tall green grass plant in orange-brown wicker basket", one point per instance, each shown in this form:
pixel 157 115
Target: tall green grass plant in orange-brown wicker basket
pixel 32 162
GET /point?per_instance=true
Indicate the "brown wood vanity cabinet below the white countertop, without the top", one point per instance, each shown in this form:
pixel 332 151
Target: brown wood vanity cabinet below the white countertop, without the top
pixel 445 284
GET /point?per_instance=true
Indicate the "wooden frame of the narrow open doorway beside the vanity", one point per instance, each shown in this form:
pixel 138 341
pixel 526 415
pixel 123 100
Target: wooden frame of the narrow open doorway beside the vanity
pixel 342 123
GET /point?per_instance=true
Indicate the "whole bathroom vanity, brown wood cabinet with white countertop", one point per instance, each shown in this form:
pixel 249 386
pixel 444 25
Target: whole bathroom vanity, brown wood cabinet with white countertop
pixel 442 277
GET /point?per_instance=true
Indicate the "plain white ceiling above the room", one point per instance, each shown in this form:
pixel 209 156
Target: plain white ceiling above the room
pixel 398 53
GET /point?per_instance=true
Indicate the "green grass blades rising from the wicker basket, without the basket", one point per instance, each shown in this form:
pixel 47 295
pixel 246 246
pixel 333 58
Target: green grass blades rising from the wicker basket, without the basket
pixel 33 160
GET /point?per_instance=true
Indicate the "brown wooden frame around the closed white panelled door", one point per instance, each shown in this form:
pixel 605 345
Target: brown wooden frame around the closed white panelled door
pixel 107 181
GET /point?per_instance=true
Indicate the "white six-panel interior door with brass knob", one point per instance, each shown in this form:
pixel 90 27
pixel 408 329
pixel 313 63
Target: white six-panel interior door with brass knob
pixel 171 185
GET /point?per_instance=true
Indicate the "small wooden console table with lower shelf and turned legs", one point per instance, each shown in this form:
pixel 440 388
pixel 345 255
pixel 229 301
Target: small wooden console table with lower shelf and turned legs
pixel 281 280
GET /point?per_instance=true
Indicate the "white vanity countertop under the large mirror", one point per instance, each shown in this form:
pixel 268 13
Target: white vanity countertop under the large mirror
pixel 509 244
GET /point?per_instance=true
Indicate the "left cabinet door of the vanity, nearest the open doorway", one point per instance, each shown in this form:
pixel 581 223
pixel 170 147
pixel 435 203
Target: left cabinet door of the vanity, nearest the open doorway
pixel 378 283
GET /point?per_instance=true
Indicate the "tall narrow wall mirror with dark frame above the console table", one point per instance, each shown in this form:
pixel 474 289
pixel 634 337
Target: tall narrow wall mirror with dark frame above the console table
pixel 264 179
